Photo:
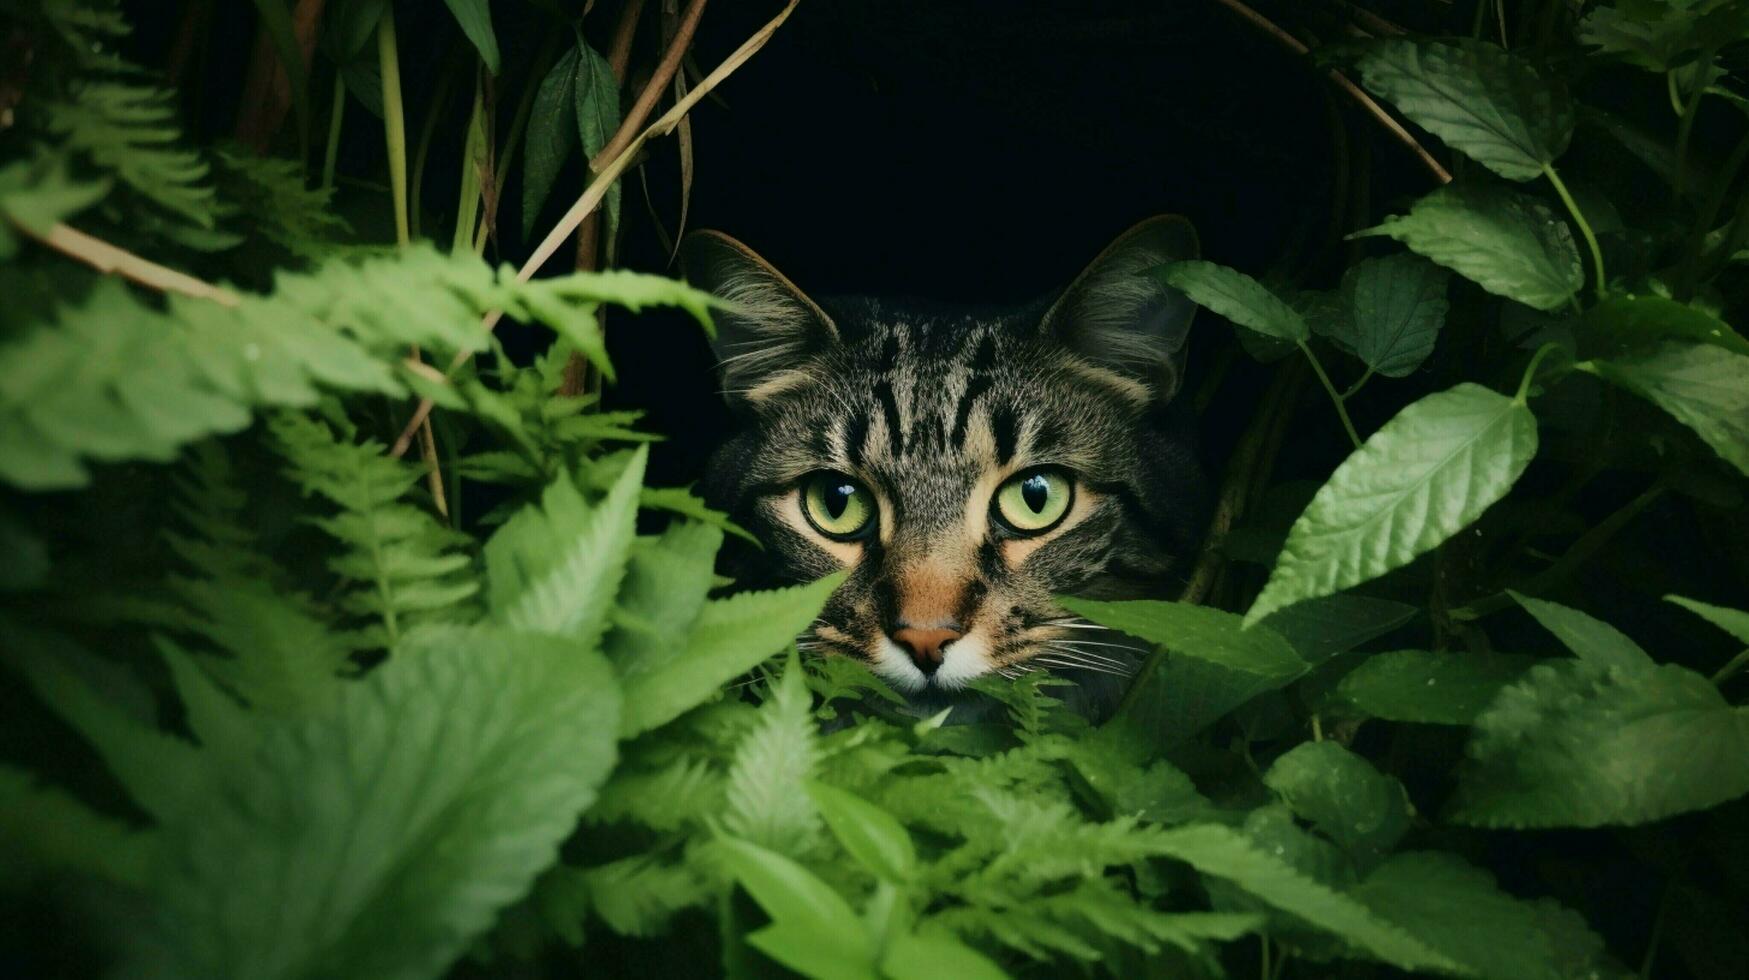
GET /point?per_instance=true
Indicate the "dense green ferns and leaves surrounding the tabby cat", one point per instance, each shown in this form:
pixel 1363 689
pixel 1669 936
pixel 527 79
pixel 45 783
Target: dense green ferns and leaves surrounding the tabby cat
pixel 277 708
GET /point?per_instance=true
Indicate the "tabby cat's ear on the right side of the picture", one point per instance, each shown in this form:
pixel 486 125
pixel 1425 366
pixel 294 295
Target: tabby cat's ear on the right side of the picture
pixel 1122 318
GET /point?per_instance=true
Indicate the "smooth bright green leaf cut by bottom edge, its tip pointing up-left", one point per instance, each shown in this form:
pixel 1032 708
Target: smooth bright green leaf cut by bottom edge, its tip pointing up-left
pixel 816 930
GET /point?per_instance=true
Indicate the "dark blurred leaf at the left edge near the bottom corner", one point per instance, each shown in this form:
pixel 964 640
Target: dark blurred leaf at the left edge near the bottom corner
pixel 48 832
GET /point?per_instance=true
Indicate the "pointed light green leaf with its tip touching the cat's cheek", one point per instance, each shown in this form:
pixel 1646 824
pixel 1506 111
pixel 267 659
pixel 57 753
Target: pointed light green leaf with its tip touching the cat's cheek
pixel 728 638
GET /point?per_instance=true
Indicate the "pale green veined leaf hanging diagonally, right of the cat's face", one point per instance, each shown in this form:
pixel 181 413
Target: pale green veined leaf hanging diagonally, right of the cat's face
pixel 1414 484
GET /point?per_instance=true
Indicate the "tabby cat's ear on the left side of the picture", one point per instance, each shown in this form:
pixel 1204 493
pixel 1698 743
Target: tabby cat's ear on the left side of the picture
pixel 767 330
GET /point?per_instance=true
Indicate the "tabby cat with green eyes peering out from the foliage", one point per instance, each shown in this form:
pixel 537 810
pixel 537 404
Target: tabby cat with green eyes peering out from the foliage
pixel 963 466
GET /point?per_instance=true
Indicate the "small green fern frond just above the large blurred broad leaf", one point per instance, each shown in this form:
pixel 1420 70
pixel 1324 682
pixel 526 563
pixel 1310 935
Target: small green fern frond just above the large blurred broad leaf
pixel 405 564
